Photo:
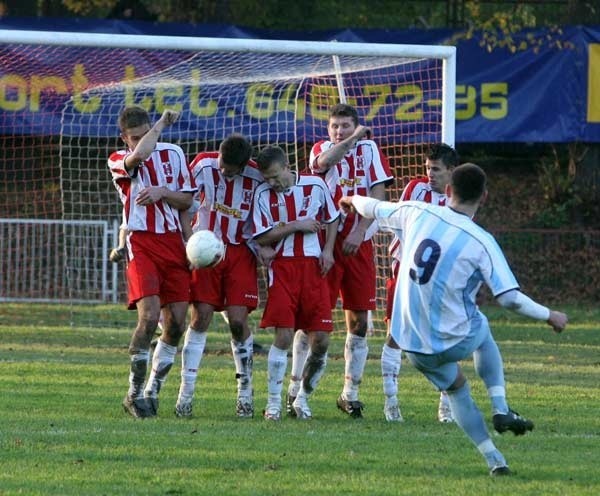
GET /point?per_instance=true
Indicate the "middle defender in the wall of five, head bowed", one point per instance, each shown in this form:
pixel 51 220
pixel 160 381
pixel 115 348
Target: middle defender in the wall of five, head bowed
pixel 290 210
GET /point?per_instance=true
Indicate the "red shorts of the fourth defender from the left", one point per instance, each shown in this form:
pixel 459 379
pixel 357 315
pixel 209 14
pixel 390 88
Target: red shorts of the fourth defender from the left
pixel 353 277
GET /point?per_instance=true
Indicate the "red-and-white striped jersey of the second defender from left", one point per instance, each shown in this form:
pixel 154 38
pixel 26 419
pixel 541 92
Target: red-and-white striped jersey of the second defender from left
pixel 225 202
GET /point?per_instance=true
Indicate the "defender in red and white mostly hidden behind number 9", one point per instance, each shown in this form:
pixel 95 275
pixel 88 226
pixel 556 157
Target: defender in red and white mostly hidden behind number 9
pixel 441 159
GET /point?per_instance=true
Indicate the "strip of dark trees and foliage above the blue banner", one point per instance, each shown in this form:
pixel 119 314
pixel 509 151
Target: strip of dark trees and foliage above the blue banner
pixel 504 16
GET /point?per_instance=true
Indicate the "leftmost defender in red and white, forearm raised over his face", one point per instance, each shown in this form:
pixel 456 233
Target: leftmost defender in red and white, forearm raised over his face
pixel 154 184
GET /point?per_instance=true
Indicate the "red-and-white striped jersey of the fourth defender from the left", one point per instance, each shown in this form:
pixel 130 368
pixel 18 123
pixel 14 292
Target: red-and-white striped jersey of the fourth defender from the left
pixel 362 167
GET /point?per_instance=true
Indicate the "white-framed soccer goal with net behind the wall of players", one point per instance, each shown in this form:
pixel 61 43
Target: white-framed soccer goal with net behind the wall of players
pixel 61 93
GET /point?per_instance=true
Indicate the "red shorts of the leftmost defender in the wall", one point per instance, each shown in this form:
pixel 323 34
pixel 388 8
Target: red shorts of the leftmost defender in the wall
pixel 158 267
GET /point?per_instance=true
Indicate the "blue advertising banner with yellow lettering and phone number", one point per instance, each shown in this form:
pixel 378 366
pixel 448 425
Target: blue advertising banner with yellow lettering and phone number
pixel 543 88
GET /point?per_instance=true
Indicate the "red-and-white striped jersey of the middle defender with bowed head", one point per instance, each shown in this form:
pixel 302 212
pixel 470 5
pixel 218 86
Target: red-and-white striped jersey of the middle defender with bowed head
pixel 308 198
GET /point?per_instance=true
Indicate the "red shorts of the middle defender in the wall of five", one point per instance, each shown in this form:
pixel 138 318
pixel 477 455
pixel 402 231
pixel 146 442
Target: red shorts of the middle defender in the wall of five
pixel 298 296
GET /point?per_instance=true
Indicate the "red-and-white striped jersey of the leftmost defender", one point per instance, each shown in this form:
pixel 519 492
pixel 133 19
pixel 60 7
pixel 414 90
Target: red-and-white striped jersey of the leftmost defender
pixel 165 167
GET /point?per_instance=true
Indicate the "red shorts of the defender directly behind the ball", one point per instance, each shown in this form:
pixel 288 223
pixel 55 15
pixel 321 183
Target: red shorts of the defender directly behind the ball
pixel 233 282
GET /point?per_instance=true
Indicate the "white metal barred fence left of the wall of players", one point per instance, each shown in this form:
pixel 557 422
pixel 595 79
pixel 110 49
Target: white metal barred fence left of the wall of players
pixel 62 261
